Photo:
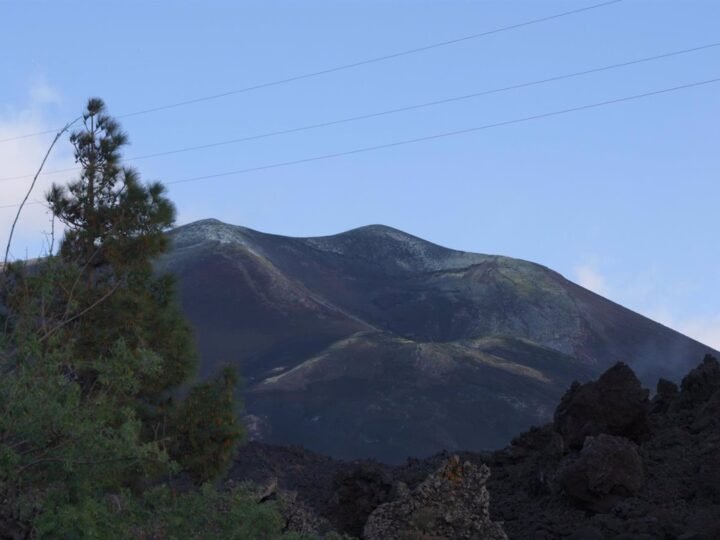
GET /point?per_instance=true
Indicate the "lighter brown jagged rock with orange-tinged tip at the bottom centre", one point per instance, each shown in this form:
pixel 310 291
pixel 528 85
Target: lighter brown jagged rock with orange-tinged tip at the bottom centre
pixel 452 503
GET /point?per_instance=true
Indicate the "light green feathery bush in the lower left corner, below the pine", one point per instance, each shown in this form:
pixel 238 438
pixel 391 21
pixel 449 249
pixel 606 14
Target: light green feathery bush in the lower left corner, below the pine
pixel 62 447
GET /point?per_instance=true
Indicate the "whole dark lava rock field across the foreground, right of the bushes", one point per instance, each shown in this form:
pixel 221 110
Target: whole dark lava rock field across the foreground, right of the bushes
pixel 614 463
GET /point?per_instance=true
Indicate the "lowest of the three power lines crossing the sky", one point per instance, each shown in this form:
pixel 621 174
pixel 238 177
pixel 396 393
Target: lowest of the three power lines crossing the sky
pixel 437 135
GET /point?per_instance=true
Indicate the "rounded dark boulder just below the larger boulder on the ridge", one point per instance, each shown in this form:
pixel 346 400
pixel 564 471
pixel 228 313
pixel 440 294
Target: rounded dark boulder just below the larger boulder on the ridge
pixel 607 468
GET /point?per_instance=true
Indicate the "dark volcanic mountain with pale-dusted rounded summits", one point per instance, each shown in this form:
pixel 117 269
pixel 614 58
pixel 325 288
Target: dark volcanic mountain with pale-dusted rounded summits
pixel 376 343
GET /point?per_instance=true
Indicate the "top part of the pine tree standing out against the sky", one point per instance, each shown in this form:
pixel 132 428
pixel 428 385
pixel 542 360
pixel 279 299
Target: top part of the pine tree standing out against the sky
pixel 112 218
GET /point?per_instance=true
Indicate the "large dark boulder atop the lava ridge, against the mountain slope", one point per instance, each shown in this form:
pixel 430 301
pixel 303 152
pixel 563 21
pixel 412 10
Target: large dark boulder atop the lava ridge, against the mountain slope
pixel 616 404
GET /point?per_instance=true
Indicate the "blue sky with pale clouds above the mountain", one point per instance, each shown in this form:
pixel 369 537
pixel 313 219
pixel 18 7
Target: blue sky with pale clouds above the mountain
pixel 622 198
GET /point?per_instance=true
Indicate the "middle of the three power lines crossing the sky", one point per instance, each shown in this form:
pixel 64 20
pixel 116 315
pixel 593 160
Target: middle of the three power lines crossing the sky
pixel 389 111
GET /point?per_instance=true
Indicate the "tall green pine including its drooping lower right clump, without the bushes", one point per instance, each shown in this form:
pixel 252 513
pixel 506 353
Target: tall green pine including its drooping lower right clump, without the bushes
pixel 116 227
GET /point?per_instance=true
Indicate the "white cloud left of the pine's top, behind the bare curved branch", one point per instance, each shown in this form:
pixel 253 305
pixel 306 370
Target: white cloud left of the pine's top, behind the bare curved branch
pixel 20 157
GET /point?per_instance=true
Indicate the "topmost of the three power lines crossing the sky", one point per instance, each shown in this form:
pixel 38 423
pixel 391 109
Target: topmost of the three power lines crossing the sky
pixel 341 67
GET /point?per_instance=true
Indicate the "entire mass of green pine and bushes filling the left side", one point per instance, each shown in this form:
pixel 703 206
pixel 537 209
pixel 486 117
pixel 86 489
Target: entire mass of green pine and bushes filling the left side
pixel 93 353
